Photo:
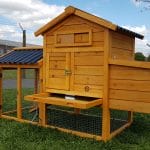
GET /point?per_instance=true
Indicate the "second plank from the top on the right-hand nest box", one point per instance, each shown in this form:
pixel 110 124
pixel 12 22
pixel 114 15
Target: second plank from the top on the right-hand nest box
pixel 133 85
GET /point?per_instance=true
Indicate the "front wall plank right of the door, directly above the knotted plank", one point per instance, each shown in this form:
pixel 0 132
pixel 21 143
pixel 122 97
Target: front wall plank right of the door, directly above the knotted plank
pixel 87 79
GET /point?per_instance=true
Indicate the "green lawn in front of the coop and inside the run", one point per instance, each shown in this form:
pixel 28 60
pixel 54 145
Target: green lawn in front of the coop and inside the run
pixel 19 136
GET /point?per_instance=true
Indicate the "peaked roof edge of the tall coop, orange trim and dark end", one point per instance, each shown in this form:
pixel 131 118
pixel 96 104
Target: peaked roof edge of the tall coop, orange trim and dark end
pixel 72 10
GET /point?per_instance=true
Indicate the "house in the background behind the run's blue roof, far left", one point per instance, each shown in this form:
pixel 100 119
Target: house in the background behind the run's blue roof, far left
pixel 7 45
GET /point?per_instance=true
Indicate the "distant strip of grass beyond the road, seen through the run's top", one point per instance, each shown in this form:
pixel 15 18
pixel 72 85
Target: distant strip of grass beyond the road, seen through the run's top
pixel 12 74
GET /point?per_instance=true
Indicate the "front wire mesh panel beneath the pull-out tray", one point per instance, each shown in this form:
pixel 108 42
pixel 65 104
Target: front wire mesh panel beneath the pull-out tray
pixel 68 119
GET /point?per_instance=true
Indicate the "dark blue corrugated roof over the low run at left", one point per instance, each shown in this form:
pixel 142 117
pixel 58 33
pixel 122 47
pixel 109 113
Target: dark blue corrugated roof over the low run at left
pixel 22 57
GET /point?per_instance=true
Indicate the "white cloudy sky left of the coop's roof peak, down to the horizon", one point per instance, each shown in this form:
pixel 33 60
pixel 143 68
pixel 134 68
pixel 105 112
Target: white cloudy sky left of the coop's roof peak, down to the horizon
pixel 32 14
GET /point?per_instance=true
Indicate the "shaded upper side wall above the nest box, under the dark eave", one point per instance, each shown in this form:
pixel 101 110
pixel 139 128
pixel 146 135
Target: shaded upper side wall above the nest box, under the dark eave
pixel 122 46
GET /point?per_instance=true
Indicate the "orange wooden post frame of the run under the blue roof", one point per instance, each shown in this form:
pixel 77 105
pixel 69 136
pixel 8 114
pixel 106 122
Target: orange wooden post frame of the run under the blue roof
pixel 19 90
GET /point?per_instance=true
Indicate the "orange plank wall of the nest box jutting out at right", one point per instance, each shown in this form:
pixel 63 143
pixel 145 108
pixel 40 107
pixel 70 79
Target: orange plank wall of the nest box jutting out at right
pixel 129 88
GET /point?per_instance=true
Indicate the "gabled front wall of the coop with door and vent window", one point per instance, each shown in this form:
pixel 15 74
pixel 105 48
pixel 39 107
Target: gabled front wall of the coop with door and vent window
pixel 78 45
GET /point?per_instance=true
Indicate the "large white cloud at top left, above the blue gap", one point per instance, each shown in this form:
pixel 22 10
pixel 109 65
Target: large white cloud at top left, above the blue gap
pixel 29 12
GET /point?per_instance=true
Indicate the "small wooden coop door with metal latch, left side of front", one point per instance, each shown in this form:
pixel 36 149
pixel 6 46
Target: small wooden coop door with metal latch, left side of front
pixel 58 70
